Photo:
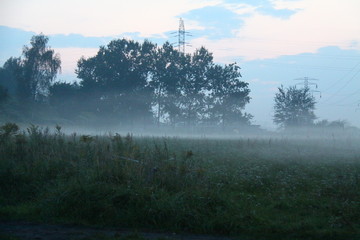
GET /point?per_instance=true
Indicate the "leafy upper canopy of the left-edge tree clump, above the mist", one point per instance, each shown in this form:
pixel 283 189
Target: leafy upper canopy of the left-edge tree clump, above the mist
pixel 30 76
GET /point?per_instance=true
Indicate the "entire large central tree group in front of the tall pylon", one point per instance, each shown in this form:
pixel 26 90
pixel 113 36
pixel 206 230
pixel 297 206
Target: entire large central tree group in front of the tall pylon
pixel 127 80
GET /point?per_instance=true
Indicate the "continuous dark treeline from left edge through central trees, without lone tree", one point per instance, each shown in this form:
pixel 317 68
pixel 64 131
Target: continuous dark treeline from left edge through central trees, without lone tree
pixel 126 83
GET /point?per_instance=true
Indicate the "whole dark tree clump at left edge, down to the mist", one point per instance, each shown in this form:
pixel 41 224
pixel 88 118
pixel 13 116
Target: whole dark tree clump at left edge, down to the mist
pixel 28 80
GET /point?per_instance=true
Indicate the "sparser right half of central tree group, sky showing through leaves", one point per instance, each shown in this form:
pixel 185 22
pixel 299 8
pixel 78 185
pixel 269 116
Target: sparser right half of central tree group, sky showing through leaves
pixel 193 90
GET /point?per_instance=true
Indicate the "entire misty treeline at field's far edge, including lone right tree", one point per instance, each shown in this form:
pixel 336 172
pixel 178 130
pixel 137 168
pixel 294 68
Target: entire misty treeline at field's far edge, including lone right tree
pixel 146 89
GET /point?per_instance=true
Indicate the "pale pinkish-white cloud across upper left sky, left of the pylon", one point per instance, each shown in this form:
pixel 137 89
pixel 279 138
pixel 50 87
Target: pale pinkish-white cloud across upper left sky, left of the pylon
pixel 96 18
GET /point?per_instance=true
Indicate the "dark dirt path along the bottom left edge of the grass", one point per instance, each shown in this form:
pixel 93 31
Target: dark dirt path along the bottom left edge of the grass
pixel 34 231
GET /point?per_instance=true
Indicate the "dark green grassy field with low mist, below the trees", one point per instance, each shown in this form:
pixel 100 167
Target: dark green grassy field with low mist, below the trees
pixel 247 188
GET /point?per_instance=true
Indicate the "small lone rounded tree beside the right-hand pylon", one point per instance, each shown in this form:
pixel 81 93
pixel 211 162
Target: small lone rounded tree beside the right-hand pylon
pixel 294 107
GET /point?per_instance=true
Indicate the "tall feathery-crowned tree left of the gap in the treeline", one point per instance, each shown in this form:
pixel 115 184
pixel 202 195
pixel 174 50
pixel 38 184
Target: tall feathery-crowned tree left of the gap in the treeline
pixel 39 68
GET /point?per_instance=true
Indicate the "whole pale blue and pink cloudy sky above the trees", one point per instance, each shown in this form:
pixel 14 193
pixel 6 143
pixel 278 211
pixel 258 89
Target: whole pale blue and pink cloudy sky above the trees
pixel 275 42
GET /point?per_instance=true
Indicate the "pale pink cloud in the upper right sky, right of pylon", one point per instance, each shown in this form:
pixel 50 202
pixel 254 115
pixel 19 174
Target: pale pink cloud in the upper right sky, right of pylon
pixel 315 24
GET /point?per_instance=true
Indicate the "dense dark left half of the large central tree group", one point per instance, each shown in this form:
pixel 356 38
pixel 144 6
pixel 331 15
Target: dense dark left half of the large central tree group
pixel 116 80
